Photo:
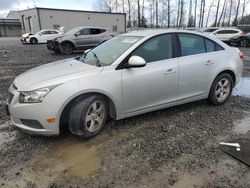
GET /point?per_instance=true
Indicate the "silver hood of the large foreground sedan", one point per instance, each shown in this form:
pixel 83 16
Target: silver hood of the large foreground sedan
pixel 54 73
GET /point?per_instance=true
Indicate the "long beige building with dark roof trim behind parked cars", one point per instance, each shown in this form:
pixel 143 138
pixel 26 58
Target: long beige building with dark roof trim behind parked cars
pixel 35 19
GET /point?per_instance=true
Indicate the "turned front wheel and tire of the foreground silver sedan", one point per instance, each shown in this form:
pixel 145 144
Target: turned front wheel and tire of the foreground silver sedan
pixel 84 119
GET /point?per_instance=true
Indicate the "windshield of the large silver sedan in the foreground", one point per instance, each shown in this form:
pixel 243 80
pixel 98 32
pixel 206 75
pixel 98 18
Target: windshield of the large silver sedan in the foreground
pixel 106 53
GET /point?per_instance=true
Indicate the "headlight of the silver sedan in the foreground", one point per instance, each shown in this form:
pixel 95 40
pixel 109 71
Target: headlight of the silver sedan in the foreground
pixel 35 96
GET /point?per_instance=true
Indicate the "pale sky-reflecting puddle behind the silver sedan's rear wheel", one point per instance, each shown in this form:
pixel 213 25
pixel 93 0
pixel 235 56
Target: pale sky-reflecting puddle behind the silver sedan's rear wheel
pixel 243 88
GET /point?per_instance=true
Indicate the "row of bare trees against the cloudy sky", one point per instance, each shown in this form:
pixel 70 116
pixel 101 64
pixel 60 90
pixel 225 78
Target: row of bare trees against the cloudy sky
pixel 178 13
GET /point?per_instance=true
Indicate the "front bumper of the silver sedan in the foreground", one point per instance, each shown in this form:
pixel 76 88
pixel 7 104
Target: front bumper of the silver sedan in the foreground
pixel 38 113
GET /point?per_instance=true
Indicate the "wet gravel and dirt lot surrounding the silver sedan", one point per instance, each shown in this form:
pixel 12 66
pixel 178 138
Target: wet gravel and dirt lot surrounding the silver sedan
pixel 175 147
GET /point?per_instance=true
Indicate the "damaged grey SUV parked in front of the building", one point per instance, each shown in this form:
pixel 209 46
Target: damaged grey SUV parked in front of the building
pixel 79 38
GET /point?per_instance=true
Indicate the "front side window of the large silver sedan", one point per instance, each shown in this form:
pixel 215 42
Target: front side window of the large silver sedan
pixel 156 49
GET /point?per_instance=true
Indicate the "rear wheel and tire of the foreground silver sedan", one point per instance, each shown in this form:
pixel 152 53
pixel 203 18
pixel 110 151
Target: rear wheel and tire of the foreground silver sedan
pixel 221 89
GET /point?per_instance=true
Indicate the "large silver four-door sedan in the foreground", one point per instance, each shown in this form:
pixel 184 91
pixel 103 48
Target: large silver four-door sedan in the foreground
pixel 130 74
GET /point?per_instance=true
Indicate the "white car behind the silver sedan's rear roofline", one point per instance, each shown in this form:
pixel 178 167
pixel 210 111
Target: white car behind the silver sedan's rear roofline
pixel 225 34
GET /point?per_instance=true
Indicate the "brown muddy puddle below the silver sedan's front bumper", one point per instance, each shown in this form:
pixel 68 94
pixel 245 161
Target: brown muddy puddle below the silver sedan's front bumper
pixel 77 160
